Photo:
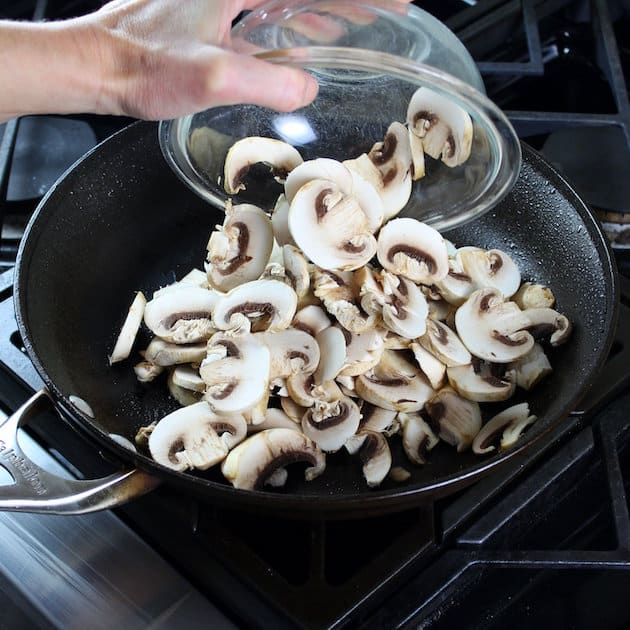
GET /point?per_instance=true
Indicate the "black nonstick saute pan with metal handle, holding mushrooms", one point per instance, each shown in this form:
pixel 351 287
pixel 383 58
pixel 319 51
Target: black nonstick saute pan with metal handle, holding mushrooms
pixel 120 221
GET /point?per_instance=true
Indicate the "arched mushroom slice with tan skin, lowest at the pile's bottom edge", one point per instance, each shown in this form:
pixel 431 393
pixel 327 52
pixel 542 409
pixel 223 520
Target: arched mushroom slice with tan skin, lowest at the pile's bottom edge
pixel 255 460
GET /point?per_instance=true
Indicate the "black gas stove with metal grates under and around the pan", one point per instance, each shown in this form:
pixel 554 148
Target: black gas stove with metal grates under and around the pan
pixel 544 540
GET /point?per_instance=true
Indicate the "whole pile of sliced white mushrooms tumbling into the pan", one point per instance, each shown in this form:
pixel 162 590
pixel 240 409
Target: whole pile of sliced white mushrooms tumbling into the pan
pixel 328 323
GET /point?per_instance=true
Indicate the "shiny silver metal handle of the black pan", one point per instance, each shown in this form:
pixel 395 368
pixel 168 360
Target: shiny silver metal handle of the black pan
pixel 37 490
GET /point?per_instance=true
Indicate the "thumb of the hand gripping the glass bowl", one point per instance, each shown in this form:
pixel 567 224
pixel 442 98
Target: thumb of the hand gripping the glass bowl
pixel 244 79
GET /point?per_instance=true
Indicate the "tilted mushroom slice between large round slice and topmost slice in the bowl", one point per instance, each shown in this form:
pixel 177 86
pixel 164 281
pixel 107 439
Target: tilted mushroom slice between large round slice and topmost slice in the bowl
pixel 387 167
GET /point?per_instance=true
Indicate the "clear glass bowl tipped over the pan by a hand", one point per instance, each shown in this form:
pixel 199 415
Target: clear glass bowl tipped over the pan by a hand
pixel 369 58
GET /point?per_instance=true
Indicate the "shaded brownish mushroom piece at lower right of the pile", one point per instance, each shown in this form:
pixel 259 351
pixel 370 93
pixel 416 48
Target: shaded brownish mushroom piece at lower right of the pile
pixel 456 420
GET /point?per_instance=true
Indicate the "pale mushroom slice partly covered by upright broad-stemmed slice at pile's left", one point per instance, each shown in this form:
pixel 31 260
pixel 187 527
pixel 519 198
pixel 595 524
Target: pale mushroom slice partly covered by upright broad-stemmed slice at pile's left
pixel 291 351
